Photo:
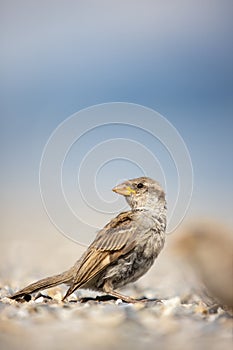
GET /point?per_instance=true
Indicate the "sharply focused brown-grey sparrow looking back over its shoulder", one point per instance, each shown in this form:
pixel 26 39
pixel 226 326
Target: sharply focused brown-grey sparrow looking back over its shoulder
pixel 123 251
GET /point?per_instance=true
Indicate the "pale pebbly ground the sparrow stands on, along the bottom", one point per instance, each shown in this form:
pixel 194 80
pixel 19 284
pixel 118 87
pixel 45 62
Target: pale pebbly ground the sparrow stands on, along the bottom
pixel 103 323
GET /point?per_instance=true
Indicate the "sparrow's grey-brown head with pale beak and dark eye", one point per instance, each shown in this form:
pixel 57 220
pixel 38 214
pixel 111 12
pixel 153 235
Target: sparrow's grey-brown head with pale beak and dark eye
pixel 142 193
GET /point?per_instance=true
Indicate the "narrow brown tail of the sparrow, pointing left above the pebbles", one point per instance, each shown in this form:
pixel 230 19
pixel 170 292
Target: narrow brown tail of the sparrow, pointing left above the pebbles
pixel 48 282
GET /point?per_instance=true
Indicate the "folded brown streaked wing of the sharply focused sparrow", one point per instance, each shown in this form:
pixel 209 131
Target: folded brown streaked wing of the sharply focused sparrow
pixel 116 239
